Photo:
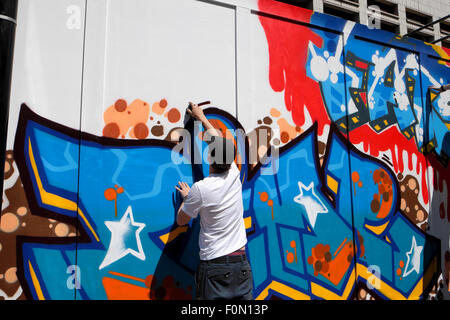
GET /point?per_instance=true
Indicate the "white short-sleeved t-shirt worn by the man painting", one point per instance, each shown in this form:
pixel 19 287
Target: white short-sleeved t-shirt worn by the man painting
pixel 218 200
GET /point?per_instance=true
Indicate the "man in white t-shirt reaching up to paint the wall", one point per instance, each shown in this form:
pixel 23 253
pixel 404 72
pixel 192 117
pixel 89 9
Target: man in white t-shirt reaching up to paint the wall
pixel 224 271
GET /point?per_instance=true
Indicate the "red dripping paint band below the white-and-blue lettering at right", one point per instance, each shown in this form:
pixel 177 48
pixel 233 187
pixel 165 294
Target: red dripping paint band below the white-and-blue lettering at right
pixel 387 140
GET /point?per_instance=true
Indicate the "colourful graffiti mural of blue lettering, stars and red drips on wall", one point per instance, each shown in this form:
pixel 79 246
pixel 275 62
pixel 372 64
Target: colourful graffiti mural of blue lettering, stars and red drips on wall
pixel 345 182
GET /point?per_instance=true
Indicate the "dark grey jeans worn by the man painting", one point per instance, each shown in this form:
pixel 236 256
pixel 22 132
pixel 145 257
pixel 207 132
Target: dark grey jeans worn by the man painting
pixel 224 280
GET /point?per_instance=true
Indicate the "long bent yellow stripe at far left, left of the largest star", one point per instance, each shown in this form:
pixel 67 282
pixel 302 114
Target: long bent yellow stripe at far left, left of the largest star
pixel 53 199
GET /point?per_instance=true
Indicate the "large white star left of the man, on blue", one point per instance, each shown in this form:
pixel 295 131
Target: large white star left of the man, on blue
pixel 120 230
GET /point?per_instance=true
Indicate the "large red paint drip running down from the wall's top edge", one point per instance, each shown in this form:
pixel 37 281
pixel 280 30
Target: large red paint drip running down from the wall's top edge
pixel 288 53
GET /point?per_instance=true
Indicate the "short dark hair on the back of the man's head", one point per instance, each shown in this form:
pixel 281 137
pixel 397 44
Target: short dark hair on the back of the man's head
pixel 222 153
